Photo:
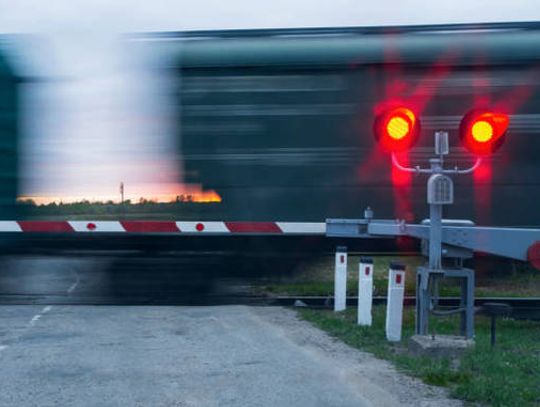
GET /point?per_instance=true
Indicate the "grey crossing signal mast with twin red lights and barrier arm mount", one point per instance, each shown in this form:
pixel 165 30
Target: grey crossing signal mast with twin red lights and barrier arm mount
pixel 445 243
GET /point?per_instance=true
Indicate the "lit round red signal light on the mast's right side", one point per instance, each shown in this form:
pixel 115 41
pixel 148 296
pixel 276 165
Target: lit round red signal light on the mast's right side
pixel 482 132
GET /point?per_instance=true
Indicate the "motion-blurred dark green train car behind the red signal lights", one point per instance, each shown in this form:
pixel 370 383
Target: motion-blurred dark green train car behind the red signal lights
pixel 279 122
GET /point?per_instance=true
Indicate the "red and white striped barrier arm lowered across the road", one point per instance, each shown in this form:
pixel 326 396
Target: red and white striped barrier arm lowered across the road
pixel 194 228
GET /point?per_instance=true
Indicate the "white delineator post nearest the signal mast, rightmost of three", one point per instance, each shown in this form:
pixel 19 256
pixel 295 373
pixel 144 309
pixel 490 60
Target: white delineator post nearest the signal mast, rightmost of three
pixel 394 307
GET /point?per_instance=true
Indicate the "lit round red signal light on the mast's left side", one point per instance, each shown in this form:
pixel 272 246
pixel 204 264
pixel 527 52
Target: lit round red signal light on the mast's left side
pixel 396 129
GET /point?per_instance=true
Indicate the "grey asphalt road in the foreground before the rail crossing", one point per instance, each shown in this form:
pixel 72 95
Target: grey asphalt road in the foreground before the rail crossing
pixel 188 356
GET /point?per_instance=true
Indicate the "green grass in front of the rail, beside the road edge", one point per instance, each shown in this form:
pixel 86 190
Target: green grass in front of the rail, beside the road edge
pixel 508 375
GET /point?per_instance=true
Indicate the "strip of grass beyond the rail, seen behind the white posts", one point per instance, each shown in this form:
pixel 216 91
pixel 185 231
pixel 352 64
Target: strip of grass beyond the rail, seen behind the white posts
pixel 316 278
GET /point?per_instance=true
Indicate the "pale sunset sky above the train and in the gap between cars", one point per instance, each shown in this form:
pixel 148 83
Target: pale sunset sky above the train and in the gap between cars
pixel 99 114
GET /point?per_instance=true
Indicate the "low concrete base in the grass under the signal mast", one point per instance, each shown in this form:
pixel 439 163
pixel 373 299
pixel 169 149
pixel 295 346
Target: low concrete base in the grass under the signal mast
pixel 439 346
